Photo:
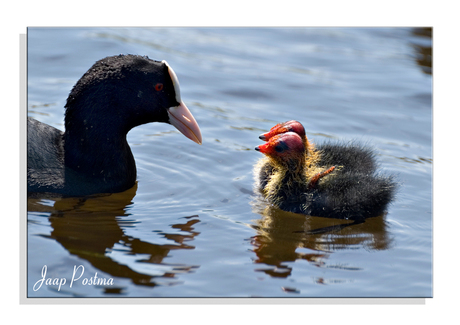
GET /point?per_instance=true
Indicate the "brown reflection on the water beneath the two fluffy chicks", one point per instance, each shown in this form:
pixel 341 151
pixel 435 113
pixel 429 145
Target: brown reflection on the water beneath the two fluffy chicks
pixel 284 237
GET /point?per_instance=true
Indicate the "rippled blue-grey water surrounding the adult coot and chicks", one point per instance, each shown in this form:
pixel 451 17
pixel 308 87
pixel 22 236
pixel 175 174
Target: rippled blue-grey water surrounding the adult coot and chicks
pixel 191 227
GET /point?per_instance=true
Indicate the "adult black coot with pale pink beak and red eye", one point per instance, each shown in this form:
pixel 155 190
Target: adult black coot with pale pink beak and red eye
pixel 92 156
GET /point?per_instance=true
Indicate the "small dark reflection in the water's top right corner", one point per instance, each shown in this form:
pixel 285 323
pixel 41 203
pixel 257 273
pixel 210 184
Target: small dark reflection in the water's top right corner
pixel 424 48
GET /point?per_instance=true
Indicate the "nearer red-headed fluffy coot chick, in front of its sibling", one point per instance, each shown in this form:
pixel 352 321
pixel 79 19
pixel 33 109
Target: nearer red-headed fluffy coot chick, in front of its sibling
pixel 295 186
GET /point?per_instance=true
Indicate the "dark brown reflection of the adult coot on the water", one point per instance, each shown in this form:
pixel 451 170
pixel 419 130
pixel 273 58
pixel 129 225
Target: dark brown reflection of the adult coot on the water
pixel 92 228
